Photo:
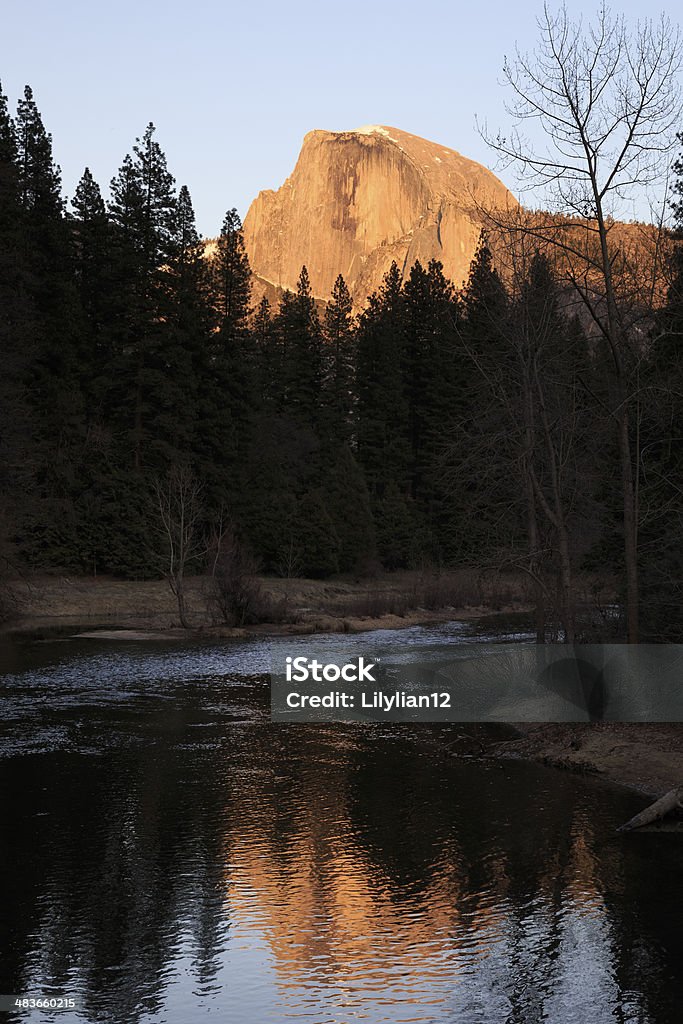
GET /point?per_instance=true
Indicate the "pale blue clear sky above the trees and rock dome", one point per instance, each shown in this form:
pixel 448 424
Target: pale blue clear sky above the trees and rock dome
pixel 233 88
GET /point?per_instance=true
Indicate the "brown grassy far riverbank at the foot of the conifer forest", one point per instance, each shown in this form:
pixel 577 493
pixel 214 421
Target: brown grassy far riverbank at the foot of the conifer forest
pixel 287 607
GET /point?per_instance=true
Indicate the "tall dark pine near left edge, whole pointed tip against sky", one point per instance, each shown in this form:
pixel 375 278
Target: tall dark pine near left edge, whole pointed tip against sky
pixel 56 343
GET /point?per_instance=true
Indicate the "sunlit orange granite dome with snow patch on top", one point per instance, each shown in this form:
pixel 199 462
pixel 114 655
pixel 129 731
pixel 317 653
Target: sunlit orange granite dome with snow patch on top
pixel 359 200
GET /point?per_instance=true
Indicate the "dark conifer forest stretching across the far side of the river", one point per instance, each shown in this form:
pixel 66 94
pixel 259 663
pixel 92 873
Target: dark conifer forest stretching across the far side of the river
pixel 144 388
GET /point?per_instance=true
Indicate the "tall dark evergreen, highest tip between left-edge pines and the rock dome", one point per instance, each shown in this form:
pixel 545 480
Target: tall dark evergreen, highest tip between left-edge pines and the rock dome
pixel 141 395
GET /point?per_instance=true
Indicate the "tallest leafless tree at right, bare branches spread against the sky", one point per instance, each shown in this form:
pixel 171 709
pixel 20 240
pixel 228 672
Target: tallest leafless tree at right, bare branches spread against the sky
pixel 608 105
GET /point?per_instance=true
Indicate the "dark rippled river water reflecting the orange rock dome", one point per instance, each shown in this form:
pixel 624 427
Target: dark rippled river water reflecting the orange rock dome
pixel 167 855
